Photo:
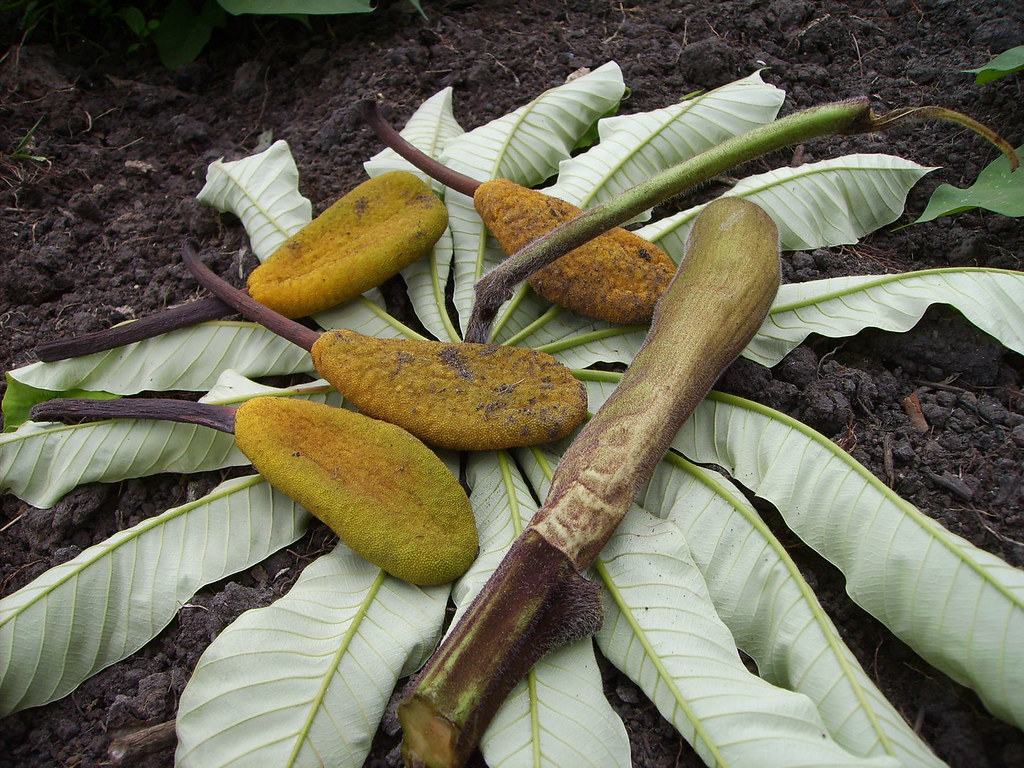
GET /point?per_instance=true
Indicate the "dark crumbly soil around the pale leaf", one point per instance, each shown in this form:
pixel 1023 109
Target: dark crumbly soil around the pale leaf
pixel 92 238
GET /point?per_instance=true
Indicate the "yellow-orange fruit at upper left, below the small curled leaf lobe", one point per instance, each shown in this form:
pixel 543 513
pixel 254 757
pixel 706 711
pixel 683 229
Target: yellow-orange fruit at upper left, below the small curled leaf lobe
pixel 370 235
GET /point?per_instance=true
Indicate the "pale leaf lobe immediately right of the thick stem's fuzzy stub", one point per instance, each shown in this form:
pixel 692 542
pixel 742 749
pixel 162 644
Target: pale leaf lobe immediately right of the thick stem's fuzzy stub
pixel 662 630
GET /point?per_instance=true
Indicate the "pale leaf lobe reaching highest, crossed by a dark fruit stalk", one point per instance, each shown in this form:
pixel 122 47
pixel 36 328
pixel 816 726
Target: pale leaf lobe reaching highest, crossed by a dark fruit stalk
pixel 525 146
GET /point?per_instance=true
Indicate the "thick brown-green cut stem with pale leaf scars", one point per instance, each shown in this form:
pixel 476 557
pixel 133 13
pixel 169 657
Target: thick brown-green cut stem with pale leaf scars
pixel 538 599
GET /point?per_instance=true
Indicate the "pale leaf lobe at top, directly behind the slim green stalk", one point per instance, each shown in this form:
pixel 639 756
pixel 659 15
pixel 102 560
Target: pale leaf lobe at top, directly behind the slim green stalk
pixel 633 148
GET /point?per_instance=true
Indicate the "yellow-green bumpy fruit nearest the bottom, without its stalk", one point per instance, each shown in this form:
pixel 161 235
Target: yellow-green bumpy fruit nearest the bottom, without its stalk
pixel 386 494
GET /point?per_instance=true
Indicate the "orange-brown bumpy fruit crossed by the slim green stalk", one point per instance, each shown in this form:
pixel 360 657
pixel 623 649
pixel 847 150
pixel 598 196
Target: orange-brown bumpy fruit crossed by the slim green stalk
pixel 618 277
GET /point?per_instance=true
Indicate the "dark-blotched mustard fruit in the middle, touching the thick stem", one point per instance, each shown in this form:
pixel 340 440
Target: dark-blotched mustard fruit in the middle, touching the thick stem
pixel 460 397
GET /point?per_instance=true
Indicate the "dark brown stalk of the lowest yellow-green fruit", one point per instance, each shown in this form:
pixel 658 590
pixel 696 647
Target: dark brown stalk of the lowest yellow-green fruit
pixel 75 410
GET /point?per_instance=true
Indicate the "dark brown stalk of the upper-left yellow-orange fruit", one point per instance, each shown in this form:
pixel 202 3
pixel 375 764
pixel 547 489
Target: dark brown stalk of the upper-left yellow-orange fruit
pixel 200 311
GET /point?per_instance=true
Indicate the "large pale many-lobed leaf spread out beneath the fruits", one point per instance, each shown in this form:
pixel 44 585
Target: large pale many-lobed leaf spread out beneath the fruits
pixel 692 576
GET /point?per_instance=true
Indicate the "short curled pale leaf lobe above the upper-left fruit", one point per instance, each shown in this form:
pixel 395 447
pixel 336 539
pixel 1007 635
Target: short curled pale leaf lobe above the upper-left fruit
pixel 263 191
